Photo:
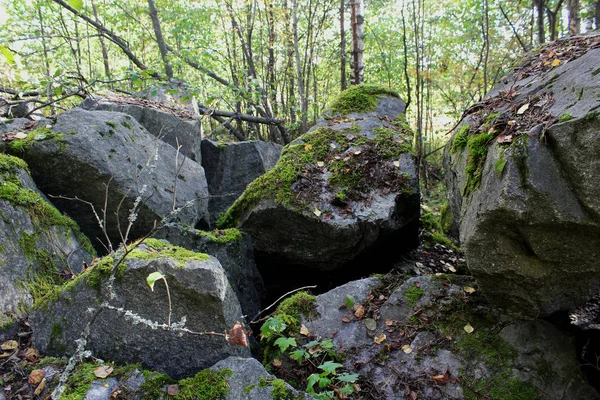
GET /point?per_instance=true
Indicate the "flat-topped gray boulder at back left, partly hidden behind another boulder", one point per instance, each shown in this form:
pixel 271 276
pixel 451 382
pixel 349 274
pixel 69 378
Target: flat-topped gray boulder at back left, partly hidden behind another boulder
pixel 174 126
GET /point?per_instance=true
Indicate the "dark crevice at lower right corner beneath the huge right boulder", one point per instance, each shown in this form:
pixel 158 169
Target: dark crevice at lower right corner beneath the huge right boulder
pixel 587 344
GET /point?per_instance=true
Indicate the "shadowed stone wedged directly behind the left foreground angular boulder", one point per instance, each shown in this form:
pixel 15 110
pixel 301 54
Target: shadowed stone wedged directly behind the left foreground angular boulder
pixel 235 255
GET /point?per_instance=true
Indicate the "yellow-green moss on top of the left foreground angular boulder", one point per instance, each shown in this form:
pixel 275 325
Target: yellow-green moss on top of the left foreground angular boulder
pixel 159 249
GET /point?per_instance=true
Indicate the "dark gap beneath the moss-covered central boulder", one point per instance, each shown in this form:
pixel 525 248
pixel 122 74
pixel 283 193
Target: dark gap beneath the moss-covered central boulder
pixel 281 277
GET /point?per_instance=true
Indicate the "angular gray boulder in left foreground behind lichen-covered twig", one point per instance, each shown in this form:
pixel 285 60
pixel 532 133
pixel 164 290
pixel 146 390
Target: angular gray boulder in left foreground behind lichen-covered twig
pixel 113 311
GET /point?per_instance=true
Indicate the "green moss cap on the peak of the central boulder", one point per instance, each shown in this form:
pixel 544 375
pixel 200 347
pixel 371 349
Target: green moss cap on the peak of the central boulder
pixel 359 99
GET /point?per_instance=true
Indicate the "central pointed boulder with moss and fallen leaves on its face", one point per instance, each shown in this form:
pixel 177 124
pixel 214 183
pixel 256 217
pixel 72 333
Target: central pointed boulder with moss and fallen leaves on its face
pixel 344 189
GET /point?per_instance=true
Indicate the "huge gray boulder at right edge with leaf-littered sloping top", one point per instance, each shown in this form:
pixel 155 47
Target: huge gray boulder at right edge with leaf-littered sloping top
pixel 522 173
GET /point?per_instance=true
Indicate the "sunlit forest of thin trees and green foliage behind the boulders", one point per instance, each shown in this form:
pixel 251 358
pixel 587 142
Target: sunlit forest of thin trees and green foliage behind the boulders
pixel 279 61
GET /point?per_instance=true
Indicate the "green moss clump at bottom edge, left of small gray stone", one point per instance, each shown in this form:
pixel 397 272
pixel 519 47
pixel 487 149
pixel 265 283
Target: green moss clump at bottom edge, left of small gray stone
pixel 205 385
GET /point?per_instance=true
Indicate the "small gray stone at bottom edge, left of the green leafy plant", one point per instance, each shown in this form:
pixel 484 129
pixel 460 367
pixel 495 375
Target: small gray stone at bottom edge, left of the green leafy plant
pixel 245 380
